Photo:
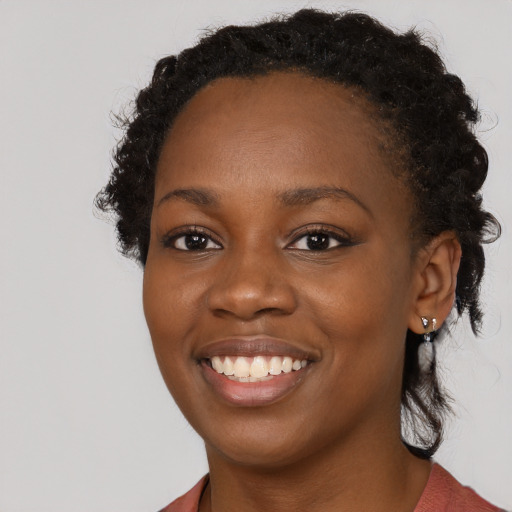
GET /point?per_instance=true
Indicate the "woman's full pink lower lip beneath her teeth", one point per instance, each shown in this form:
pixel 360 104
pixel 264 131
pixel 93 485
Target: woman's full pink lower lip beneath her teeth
pixel 253 394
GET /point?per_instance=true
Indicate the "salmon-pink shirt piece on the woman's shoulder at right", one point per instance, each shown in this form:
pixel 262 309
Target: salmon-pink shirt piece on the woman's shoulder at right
pixel 445 494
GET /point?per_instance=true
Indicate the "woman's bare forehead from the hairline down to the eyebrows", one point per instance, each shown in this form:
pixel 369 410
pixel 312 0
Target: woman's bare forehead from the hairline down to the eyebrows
pixel 248 130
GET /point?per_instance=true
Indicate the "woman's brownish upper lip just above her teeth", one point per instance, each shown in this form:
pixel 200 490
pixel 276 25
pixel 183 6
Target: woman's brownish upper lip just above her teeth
pixel 250 346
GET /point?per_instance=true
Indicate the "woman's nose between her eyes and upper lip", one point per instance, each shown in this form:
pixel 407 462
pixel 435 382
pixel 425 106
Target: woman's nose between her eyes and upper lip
pixel 250 285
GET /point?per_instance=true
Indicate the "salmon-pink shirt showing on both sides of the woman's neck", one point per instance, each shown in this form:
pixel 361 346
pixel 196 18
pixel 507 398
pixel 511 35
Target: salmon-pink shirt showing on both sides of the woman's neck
pixel 442 494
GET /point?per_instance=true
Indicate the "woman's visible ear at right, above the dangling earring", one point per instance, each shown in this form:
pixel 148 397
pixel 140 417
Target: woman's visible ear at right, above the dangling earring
pixel 435 280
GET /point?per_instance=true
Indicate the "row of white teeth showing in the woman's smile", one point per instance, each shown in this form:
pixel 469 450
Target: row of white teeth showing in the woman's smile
pixel 255 369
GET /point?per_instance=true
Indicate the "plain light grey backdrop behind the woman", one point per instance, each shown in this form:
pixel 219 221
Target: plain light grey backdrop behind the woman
pixel 86 424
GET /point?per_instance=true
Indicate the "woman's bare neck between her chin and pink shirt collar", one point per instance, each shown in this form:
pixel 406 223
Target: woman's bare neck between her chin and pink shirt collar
pixel 355 474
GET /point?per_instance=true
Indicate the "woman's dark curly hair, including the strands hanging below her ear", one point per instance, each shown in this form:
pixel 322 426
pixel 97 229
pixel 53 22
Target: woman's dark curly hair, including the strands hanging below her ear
pixel 432 121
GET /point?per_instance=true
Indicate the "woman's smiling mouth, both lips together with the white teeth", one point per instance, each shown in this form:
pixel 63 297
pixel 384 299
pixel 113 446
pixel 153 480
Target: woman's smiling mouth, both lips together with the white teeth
pixel 255 371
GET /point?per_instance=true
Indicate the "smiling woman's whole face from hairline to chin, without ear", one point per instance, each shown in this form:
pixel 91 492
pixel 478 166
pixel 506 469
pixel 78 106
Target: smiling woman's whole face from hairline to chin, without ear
pixel 280 237
